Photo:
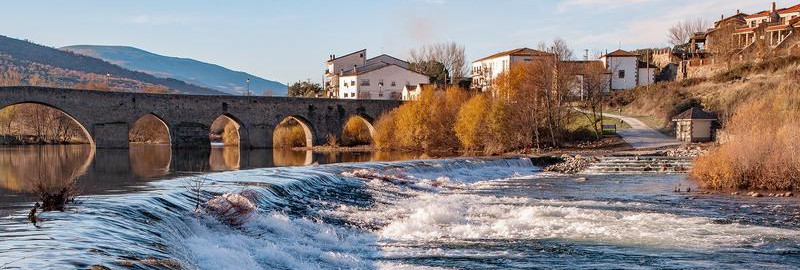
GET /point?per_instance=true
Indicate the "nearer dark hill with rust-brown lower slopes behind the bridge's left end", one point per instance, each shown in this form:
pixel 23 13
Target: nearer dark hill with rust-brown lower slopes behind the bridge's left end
pixel 56 67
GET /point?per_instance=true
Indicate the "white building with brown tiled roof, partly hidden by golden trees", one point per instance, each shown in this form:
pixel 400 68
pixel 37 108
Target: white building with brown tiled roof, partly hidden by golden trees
pixel 486 69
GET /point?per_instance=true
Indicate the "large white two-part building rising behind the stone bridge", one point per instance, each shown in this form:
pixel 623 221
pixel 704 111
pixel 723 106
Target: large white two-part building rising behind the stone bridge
pixel 353 76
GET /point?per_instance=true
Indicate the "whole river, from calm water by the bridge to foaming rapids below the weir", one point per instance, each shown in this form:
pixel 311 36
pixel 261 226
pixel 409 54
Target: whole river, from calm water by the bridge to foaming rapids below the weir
pixel 136 212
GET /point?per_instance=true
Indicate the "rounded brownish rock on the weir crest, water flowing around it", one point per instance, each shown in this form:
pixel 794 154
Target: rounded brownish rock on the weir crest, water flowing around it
pixel 232 208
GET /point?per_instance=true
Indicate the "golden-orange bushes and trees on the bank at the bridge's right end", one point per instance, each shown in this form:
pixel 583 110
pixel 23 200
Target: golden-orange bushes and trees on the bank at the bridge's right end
pixel 526 109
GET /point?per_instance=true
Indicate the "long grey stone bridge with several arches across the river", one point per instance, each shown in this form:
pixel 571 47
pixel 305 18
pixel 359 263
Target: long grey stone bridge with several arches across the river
pixel 108 116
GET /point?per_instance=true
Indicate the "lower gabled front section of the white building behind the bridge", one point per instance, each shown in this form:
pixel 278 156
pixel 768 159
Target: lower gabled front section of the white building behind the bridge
pixel 384 82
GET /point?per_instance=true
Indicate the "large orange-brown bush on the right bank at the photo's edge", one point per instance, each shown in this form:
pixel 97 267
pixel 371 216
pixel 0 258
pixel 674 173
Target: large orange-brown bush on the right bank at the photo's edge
pixel 763 148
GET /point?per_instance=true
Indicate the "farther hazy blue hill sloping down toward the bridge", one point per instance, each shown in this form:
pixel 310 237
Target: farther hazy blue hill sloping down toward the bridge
pixel 188 70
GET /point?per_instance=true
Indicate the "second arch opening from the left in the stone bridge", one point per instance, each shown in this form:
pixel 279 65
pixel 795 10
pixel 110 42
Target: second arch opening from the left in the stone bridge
pixel 150 129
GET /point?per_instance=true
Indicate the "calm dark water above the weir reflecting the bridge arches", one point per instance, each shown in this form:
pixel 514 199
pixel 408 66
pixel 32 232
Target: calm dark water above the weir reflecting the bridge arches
pixel 105 171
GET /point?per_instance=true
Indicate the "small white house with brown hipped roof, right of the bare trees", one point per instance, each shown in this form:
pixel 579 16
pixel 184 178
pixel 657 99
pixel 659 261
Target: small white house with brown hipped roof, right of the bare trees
pixel 626 71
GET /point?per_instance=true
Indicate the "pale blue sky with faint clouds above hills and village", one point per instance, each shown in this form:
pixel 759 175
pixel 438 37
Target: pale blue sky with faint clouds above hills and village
pixel 289 41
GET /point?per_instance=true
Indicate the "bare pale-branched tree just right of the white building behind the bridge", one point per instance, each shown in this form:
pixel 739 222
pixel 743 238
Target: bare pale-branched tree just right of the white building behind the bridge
pixel 450 55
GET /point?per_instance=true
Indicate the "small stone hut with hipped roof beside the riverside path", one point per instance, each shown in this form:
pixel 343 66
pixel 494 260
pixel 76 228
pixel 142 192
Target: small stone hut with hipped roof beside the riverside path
pixel 694 125
